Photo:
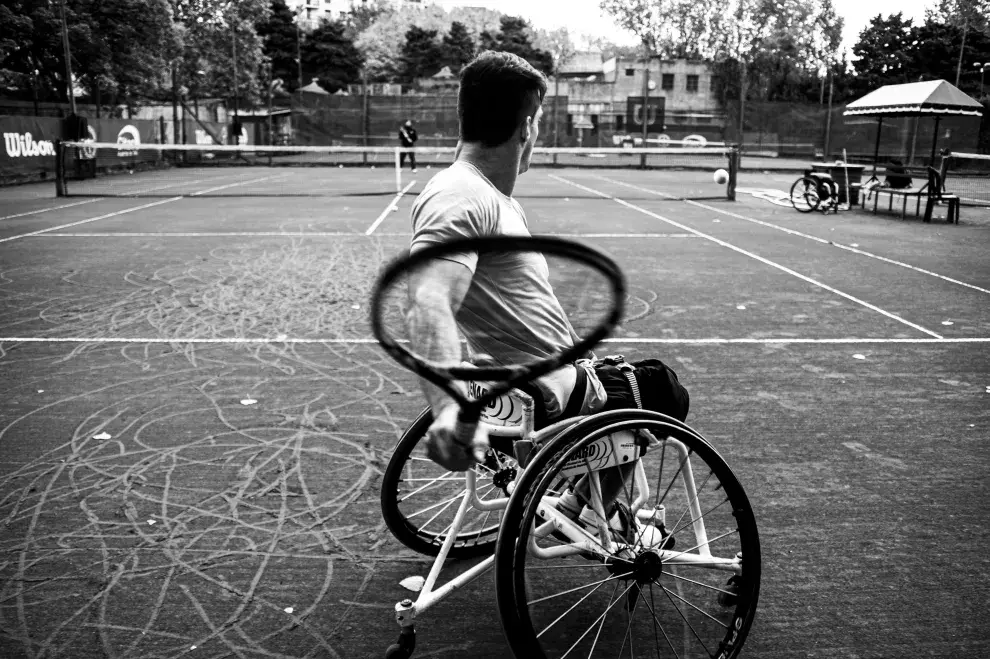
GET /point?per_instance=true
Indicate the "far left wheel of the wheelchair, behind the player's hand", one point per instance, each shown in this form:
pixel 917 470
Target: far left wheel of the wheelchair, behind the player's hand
pixel 420 498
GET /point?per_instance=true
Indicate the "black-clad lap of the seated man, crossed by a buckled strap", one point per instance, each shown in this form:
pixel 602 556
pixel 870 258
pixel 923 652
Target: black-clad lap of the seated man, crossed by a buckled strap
pixel 648 384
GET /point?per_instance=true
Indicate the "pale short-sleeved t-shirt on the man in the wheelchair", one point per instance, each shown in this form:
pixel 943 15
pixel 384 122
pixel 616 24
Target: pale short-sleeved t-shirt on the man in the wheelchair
pixel 510 311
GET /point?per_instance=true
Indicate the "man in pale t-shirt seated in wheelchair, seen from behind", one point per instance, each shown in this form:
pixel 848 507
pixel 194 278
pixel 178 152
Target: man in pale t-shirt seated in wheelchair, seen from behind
pixel 505 306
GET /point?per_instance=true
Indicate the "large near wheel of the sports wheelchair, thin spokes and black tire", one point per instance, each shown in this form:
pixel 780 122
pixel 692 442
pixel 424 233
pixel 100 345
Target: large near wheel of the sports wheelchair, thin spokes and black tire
pixel 682 580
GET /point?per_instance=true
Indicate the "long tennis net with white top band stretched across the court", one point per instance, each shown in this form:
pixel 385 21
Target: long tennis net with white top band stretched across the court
pixel 136 170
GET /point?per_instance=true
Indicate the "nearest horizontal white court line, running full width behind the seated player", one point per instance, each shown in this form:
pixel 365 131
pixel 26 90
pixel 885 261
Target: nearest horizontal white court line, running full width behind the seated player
pixel 636 341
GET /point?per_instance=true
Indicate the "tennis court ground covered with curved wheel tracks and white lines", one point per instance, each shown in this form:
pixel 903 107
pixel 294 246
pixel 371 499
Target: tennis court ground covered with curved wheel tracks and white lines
pixel 195 418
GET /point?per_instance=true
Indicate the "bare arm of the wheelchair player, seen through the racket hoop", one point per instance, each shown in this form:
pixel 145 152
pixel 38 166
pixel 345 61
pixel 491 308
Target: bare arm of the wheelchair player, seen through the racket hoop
pixel 436 292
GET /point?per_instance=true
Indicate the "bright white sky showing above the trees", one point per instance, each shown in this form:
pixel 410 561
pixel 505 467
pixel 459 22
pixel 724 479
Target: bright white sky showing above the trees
pixel 584 16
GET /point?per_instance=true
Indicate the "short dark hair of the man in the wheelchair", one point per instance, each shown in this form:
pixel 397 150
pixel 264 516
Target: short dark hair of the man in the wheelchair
pixel 498 90
